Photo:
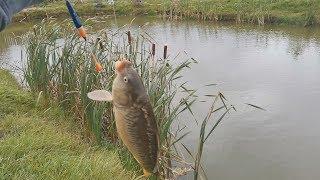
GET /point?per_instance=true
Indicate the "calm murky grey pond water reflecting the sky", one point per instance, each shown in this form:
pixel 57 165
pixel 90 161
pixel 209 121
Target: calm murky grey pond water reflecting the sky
pixel 277 68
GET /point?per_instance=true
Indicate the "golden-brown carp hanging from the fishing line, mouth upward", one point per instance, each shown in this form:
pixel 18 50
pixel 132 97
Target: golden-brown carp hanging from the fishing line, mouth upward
pixel 134 116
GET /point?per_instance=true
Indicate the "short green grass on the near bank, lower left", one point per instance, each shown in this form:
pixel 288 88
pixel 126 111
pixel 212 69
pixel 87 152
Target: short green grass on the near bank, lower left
pixel 41 144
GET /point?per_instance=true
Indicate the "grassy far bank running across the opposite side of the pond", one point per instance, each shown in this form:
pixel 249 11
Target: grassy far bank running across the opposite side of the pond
pixel 295 12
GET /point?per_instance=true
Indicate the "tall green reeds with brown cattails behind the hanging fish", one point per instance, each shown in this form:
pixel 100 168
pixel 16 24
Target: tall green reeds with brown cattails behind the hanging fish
pixel 60 71
